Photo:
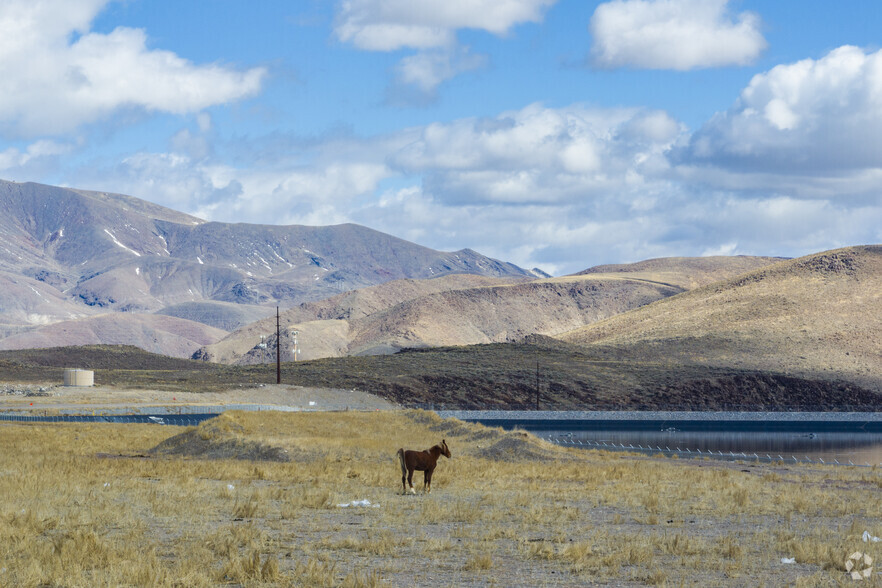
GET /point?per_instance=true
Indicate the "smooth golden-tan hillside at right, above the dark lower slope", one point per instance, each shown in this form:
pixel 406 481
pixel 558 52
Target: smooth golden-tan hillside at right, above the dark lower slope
pixel 817 317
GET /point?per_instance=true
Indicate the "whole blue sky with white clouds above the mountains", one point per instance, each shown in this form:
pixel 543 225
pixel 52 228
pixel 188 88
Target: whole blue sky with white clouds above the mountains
pixel 557 134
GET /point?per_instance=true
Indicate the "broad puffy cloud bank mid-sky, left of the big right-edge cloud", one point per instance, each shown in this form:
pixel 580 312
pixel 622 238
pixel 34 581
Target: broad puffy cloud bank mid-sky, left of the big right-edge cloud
pixel 540 154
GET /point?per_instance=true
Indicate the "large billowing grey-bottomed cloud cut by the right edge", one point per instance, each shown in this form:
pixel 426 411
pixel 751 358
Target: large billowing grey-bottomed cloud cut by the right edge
pixel 816 118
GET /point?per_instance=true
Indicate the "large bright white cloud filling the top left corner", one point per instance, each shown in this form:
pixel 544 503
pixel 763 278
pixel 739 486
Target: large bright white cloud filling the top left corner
pixel 58 75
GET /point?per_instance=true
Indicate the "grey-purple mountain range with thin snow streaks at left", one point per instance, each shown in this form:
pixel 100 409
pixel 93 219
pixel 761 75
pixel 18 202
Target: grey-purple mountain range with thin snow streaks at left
pixel 71 254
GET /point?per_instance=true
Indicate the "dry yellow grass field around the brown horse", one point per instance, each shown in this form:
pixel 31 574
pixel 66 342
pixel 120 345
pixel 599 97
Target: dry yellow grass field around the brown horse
pixel 253 499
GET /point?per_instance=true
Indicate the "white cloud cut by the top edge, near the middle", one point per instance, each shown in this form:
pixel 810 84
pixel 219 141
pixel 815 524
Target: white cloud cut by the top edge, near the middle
pixel 387 25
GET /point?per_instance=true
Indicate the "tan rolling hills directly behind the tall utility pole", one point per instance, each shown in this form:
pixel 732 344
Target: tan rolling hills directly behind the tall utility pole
pixel 462 310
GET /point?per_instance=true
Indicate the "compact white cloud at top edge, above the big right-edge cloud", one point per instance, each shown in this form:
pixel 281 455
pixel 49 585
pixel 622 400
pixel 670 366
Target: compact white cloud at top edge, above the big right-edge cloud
pixel 673 34
